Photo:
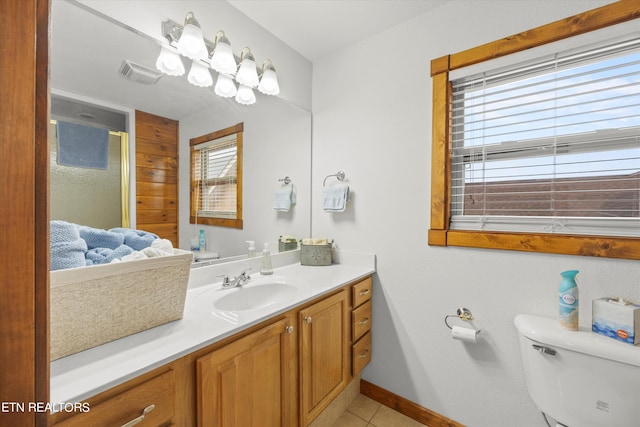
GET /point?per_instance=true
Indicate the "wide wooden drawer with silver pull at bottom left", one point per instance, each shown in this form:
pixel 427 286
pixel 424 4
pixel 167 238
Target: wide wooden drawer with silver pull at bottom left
pixel 157 393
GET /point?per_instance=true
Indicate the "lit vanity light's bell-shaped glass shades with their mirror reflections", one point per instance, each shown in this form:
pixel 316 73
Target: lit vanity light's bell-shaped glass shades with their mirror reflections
pixel 188 41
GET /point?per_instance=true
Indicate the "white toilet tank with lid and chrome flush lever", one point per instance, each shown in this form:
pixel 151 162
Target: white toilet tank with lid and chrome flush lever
pixel 579 378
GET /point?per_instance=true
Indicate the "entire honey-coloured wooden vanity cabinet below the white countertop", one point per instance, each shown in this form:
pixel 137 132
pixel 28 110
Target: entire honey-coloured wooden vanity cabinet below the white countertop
pixel 282 372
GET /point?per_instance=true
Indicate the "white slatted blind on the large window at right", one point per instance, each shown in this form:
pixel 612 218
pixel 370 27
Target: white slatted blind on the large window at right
pixel 551 145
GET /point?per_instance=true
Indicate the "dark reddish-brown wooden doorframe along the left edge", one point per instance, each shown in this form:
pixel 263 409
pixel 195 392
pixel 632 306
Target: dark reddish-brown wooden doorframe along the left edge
pixel 24 212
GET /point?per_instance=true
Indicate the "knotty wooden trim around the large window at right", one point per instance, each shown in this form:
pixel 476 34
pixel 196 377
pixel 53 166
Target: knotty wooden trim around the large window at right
pixel 439 233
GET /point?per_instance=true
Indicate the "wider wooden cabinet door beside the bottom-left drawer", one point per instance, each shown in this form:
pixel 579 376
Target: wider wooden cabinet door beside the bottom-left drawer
pixel 250 382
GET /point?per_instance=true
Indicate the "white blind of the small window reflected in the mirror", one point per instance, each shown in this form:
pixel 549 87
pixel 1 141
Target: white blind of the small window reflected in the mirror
pixel 216 170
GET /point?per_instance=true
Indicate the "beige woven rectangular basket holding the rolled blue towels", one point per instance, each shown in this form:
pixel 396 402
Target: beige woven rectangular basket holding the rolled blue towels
pixel 93 305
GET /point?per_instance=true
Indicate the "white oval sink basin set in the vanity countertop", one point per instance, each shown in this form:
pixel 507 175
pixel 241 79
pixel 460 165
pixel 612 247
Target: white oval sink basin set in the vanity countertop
pixel 258 293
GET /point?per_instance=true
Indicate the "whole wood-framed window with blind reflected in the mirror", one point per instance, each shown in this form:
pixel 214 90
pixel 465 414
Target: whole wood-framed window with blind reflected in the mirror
pixel 216 178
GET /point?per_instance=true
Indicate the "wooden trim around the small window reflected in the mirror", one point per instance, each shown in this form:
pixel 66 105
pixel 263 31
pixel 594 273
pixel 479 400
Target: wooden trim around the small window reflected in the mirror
pixel 221 222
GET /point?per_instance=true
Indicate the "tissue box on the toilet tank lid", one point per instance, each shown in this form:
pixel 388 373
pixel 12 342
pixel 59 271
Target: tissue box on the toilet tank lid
pixel 617 319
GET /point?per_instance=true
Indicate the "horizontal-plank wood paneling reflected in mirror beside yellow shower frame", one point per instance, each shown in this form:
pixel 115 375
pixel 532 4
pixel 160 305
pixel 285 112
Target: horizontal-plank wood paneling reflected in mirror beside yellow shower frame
pixel 157 175
